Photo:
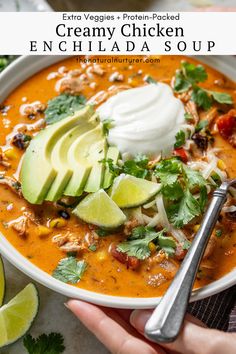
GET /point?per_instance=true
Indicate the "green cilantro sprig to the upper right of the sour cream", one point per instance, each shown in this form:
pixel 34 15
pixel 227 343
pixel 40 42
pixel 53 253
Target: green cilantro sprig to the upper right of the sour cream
pixel 188 77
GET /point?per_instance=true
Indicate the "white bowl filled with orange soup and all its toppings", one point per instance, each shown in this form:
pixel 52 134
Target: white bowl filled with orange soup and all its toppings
pixel 97 157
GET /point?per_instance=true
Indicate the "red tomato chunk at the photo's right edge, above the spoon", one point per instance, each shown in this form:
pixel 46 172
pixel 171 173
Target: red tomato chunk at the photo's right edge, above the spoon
pixel 227 125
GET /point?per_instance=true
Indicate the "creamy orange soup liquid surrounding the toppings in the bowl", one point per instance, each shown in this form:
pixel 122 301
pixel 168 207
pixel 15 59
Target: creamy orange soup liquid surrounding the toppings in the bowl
pixel 105 273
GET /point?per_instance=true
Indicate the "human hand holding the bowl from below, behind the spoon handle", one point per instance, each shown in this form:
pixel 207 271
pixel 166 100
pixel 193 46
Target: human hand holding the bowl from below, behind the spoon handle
pixel 121 331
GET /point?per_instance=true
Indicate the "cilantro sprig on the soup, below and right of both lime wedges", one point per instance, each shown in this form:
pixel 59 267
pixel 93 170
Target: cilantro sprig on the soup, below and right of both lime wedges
pixel 137 245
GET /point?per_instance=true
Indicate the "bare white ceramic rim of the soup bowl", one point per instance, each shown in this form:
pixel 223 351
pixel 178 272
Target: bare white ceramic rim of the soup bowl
pixel 15 74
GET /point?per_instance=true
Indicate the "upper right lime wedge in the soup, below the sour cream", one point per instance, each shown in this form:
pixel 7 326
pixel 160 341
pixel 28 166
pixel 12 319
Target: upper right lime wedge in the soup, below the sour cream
pixel 129 191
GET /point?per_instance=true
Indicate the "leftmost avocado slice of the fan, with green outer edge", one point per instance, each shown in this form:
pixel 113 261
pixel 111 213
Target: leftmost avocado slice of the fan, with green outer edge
pixel 37 172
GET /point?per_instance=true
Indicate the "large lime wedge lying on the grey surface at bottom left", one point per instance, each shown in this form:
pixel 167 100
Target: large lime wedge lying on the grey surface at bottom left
pixel 17 316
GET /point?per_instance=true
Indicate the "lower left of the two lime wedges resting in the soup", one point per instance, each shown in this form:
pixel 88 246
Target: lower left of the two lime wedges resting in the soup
pixel 99 209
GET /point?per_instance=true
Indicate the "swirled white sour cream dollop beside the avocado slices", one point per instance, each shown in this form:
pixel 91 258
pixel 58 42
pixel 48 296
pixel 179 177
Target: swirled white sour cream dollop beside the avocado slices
pixel 144 119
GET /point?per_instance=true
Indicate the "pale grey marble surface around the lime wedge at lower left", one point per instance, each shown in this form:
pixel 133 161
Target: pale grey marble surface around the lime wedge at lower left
pixel 53 316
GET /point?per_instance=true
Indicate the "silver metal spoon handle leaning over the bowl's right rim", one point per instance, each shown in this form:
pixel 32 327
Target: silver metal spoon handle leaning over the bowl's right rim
pixel 165 323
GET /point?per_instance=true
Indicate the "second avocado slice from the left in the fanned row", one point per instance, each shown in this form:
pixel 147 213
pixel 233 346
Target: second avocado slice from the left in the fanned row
pixel 60 161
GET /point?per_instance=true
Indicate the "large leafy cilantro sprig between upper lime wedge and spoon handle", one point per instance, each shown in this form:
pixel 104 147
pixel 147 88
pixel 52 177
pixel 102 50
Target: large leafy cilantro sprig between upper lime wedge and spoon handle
pixel 179 183
